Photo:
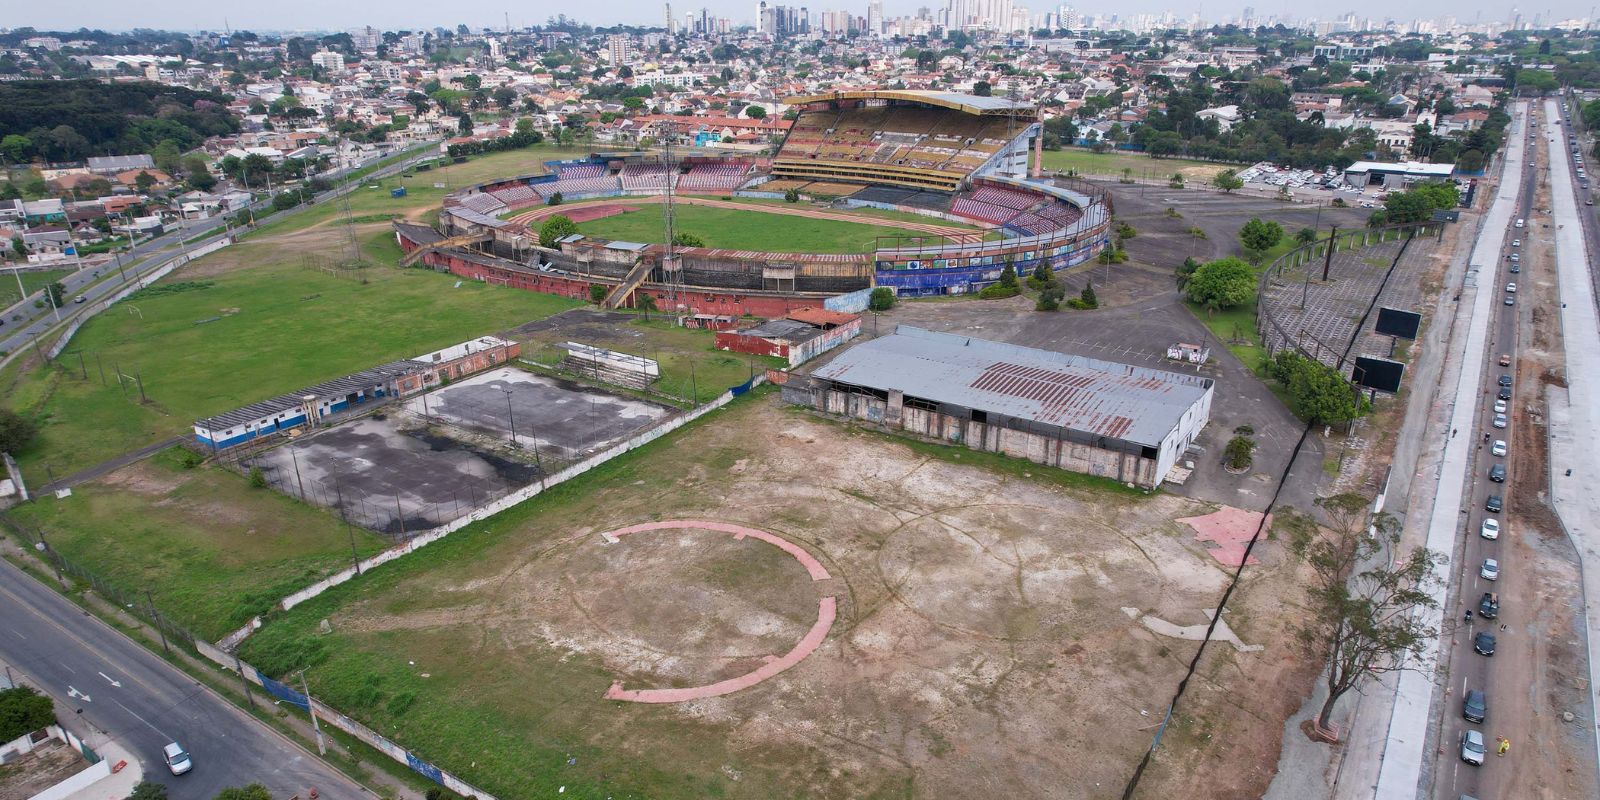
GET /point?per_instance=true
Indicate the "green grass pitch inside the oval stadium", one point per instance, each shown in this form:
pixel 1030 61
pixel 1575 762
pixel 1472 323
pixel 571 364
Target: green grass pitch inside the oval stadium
pixel 724 228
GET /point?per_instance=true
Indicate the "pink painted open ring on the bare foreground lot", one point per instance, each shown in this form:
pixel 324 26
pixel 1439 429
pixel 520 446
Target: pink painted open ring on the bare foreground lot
pixel 828 607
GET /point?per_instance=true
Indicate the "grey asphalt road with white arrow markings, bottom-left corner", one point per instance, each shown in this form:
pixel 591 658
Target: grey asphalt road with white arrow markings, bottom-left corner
pixel 78 658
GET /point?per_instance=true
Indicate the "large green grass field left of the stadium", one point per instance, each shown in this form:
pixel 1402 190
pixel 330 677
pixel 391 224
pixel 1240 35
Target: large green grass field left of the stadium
pixel 263 326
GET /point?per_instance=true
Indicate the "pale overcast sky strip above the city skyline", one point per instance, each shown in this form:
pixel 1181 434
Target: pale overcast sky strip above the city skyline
pixel 319 15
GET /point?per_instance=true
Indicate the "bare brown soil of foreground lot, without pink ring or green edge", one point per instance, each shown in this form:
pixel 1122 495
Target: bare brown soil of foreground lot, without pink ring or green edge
pixel 980 650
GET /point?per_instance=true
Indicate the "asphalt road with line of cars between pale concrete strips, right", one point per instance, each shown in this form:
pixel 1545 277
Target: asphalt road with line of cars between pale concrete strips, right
pixel 1502 678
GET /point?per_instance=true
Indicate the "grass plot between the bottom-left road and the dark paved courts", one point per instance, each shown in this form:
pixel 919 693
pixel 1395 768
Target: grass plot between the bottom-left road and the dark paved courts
pixel 212 551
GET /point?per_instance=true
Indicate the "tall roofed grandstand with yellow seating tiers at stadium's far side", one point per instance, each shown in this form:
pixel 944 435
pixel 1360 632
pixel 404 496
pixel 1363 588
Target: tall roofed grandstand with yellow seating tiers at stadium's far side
pixel 918 140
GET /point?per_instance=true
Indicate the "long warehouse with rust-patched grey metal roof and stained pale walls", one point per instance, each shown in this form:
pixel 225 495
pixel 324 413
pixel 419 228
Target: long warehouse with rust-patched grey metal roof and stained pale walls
pixel 1103 418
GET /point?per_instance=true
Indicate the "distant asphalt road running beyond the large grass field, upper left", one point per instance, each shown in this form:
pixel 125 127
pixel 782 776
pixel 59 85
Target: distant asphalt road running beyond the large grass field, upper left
pixel 26 322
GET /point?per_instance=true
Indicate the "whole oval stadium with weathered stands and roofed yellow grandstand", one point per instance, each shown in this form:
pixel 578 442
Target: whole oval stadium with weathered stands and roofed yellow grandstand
pixel 942 178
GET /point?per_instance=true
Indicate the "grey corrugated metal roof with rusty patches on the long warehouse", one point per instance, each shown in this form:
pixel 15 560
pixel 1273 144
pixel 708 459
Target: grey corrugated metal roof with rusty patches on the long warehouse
pixel 1108 399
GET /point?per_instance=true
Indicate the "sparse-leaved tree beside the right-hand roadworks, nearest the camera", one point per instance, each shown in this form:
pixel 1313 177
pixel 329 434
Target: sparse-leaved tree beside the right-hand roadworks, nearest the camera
pixel 1364 594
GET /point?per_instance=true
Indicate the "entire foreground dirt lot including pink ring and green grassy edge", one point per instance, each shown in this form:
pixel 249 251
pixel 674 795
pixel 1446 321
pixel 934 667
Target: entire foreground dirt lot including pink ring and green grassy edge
pixel 850 615
